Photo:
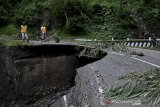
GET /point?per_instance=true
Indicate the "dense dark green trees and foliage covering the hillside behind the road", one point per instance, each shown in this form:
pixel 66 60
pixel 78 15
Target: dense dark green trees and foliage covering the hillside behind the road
pixel 97 18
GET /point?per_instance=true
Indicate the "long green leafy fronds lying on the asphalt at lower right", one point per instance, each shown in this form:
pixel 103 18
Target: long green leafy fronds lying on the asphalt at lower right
pixel 143 86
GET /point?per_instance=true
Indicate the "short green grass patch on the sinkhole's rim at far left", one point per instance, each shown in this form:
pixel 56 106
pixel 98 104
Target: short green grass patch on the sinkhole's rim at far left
pixel 11 43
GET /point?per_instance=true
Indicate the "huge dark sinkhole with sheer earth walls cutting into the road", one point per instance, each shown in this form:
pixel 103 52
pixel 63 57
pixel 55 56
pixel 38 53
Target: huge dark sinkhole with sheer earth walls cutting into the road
pixel 40 74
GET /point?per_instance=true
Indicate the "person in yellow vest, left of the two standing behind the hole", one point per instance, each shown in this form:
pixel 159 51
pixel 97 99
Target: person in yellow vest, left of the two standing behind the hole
pixel 24 32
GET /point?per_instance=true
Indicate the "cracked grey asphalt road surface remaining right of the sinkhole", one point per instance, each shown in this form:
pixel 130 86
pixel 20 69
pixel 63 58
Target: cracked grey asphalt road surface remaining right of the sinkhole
pixel 92 79
